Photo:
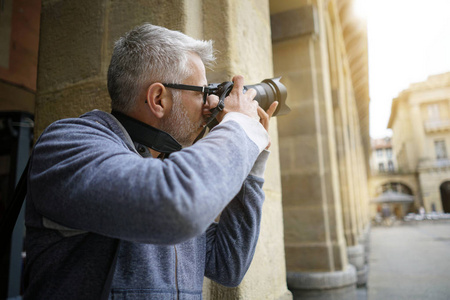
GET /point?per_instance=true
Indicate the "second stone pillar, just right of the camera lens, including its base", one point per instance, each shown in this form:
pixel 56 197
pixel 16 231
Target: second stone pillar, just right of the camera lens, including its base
pixel 316 255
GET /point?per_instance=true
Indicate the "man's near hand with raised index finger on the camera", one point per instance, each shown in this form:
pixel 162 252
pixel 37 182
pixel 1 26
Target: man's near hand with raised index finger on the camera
pixel 237 101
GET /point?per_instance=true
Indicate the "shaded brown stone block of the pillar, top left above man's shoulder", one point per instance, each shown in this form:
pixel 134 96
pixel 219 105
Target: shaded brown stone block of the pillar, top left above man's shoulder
pixel 71 41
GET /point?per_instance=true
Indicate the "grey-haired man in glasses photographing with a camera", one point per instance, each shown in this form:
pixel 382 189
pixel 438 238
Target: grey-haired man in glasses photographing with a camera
pixel 111 214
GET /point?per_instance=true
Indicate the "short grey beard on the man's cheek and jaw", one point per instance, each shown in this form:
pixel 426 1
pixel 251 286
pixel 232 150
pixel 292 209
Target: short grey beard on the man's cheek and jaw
pixel 178 124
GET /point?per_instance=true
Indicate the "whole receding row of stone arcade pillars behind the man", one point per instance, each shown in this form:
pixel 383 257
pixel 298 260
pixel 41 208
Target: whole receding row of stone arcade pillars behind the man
pixel 314 235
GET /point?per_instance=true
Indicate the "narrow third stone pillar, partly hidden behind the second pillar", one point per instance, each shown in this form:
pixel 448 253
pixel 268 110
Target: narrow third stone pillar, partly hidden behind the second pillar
pixel 343 93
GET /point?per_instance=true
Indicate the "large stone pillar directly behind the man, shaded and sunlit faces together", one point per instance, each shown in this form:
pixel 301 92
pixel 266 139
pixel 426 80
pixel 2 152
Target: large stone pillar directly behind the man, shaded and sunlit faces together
pixel 77 39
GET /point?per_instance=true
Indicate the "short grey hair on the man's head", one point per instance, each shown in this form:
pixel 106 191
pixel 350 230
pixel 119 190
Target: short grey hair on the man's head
pixel 149 54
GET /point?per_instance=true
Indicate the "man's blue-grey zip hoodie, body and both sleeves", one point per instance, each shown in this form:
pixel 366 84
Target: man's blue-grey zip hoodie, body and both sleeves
pixel 91 195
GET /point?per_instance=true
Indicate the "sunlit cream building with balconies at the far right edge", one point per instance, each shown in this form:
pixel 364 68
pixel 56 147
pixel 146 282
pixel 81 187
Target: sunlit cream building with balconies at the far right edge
pixel 420 121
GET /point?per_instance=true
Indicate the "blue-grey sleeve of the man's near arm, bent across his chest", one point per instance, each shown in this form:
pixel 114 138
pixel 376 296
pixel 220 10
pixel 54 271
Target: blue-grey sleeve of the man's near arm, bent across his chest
pixel 83 176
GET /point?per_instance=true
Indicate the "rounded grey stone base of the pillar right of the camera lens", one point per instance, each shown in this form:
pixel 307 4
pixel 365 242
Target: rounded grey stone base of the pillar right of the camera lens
pixel 340 285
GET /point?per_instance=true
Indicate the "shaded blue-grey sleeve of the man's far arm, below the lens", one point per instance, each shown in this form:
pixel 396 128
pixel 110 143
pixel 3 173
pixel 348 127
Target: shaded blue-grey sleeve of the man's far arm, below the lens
pixel 231 243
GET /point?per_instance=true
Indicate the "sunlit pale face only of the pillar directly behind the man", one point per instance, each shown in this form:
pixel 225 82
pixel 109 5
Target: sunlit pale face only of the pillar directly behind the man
pixel 241 30
